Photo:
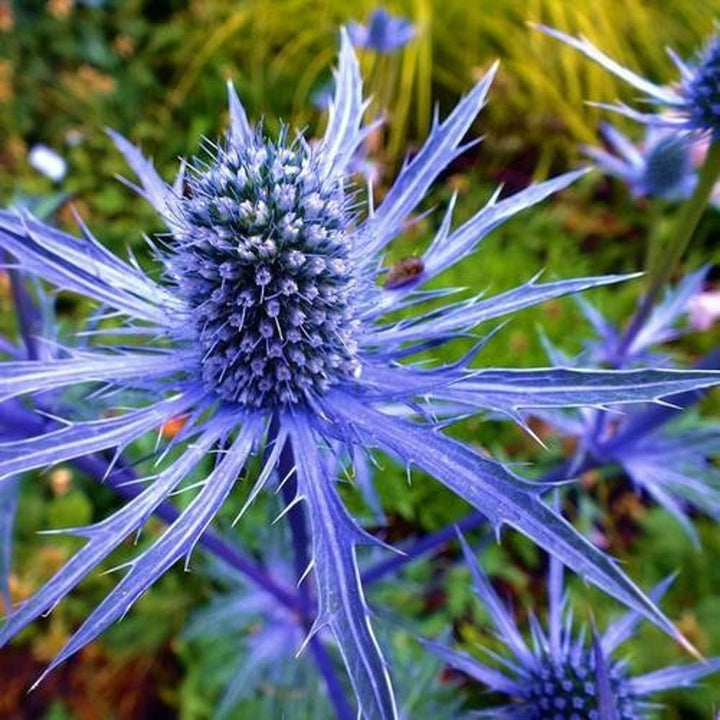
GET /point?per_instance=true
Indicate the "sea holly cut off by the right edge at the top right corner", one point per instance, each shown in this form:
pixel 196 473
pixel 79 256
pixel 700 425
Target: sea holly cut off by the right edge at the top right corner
pixel 693 103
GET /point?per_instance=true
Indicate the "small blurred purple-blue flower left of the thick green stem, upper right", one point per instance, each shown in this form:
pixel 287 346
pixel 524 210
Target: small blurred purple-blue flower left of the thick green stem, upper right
pixel 660 167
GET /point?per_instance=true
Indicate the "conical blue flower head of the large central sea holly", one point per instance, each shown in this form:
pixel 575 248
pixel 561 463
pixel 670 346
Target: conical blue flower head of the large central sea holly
pixel 263 263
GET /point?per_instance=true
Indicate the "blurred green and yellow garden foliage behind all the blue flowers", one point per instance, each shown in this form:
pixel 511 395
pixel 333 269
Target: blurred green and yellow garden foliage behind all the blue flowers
pixel 155 71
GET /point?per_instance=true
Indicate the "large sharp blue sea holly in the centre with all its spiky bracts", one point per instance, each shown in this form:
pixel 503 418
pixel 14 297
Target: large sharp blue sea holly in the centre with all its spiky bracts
pixel 275 331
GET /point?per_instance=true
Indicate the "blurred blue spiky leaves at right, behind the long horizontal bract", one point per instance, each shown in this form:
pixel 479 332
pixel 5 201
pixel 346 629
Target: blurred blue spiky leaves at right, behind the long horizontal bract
pixel 672 463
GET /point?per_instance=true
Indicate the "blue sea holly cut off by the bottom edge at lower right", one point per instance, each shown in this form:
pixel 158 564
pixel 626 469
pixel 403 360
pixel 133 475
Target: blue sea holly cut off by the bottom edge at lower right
pixel 560 675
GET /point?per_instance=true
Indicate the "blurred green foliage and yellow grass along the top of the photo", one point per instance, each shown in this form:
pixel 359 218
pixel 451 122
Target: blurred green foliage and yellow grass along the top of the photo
pixel 156 72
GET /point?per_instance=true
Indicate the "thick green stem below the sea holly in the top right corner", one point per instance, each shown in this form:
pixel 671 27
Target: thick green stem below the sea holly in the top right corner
pixel 664 260
